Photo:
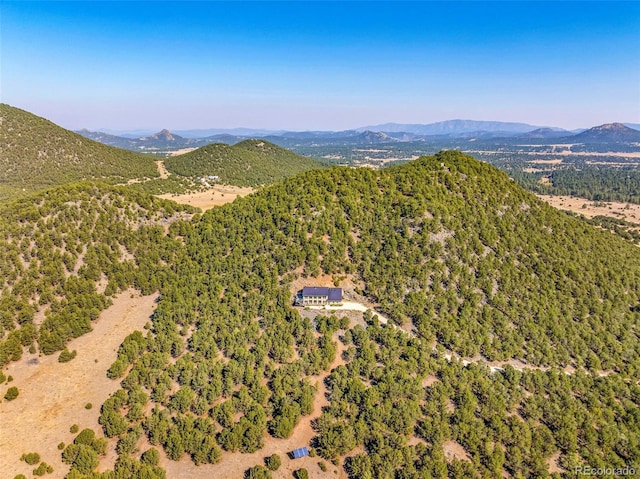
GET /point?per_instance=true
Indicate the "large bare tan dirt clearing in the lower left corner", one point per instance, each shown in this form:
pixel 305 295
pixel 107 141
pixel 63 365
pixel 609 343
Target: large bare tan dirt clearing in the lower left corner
pixel 53 395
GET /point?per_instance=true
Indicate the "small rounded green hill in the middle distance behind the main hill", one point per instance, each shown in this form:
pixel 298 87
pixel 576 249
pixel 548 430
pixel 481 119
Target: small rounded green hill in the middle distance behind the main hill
pixel 248 163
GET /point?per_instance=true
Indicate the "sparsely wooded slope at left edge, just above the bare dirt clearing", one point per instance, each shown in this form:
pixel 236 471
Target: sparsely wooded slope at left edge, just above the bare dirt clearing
pixel 64 252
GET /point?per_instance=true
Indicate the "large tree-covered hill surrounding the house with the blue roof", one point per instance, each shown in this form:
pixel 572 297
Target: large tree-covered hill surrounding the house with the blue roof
pixel 460 258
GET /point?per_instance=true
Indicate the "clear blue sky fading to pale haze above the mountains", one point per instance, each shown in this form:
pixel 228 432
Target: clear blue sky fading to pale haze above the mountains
pixel 320 65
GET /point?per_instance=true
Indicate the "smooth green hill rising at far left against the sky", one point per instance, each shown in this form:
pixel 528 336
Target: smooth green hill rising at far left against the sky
pixel 35 153
